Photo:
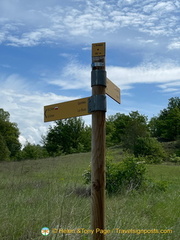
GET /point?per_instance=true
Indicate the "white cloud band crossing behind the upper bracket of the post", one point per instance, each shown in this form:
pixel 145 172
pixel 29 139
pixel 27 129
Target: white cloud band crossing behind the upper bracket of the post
pixel 77 76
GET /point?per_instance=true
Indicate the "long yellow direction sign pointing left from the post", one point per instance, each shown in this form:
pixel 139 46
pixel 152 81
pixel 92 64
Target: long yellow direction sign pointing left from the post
pixel 64 110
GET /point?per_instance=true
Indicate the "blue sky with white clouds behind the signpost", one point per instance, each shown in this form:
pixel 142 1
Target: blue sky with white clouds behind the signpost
pixel 45 55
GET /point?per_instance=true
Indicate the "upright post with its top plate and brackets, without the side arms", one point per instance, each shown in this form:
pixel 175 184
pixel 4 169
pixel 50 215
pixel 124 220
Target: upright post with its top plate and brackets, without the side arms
pixel 98 180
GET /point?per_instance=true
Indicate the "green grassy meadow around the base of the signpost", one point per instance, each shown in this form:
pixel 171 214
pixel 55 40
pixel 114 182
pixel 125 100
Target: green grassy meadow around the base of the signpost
pixel 47 192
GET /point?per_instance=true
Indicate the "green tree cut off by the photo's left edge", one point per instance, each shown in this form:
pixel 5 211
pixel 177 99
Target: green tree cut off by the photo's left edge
pixel 10 133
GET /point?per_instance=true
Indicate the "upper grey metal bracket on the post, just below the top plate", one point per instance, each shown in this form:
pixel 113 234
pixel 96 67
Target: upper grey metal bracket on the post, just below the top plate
pixel 98 78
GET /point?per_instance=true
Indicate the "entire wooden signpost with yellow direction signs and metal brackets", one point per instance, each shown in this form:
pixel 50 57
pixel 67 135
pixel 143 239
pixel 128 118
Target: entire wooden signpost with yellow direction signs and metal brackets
pixel 95 105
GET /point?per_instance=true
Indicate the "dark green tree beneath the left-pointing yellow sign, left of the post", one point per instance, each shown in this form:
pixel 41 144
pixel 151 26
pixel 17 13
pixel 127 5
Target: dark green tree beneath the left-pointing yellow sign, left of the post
pixel 68 136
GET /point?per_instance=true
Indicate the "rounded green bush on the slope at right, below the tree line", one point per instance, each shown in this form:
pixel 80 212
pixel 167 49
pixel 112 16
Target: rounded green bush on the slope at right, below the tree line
pixel 149 148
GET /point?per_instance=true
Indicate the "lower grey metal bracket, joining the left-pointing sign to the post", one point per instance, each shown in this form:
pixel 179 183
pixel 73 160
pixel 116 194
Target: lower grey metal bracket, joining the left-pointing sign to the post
pixel 97 103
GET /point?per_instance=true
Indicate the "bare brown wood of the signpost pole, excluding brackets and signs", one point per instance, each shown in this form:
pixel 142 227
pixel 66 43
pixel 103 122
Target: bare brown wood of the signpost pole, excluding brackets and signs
pixel 98 167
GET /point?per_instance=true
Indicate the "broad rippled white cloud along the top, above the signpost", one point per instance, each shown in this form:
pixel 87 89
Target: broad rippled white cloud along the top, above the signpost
pixel 32 24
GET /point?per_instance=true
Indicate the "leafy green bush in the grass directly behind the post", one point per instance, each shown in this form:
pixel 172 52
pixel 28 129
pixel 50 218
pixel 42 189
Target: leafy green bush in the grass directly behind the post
pixel 127 176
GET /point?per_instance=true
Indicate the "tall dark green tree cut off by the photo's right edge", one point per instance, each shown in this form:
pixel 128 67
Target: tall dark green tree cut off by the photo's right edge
pixel 167 125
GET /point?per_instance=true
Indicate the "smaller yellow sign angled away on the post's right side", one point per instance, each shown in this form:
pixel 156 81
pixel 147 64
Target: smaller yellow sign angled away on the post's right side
pixel 112 90
